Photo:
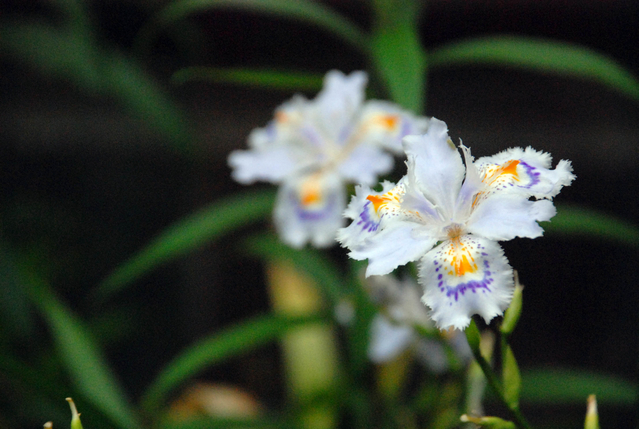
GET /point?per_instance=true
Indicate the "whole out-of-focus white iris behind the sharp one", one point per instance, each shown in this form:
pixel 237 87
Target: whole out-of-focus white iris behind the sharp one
pixel 313 147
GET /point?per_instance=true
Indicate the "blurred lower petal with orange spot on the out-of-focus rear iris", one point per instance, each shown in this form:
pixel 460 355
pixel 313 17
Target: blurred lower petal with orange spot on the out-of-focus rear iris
pixel 309 208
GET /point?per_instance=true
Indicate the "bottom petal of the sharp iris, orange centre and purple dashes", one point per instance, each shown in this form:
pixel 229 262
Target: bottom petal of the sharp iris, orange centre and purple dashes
pixel 464 276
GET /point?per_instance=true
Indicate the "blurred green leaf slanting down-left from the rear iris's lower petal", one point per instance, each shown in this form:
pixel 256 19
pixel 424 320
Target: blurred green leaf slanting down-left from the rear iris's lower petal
pixel 188 234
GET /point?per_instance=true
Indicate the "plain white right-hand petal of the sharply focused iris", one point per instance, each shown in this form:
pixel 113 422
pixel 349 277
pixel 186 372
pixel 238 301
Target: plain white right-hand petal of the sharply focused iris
pixel 504 217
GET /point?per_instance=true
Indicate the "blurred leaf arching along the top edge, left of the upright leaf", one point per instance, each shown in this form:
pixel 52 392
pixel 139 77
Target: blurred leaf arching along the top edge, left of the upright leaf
pixel 303 10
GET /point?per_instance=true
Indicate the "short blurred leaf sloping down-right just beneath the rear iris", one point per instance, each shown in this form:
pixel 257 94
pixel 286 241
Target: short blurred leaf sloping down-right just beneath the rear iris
pixel 310 261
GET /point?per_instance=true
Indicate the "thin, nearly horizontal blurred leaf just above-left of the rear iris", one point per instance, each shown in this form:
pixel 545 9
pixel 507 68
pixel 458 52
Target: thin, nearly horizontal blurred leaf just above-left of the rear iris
pixel 273 79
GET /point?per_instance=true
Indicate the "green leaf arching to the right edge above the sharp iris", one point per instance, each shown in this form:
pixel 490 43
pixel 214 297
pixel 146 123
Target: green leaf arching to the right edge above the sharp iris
pixel 539 55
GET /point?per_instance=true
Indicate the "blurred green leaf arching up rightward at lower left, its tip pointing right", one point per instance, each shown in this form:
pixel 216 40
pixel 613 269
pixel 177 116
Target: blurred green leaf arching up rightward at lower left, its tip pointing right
pixel 233 341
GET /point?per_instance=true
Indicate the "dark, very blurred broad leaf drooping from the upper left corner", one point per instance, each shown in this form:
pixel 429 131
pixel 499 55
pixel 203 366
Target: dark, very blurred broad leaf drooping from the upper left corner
pixel 96 71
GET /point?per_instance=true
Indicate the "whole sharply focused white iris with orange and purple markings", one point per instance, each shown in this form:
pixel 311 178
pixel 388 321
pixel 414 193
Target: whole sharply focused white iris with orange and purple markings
pixel 449 216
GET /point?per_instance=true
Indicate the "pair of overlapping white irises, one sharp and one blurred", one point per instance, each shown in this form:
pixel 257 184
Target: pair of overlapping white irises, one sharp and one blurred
pixel 448 212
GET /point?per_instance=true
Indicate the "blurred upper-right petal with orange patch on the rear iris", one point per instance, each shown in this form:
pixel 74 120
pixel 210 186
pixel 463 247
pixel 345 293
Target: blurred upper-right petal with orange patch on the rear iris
pixel 384 124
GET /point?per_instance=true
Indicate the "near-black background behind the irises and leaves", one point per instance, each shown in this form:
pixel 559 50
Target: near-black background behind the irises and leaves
pixel 84 184
